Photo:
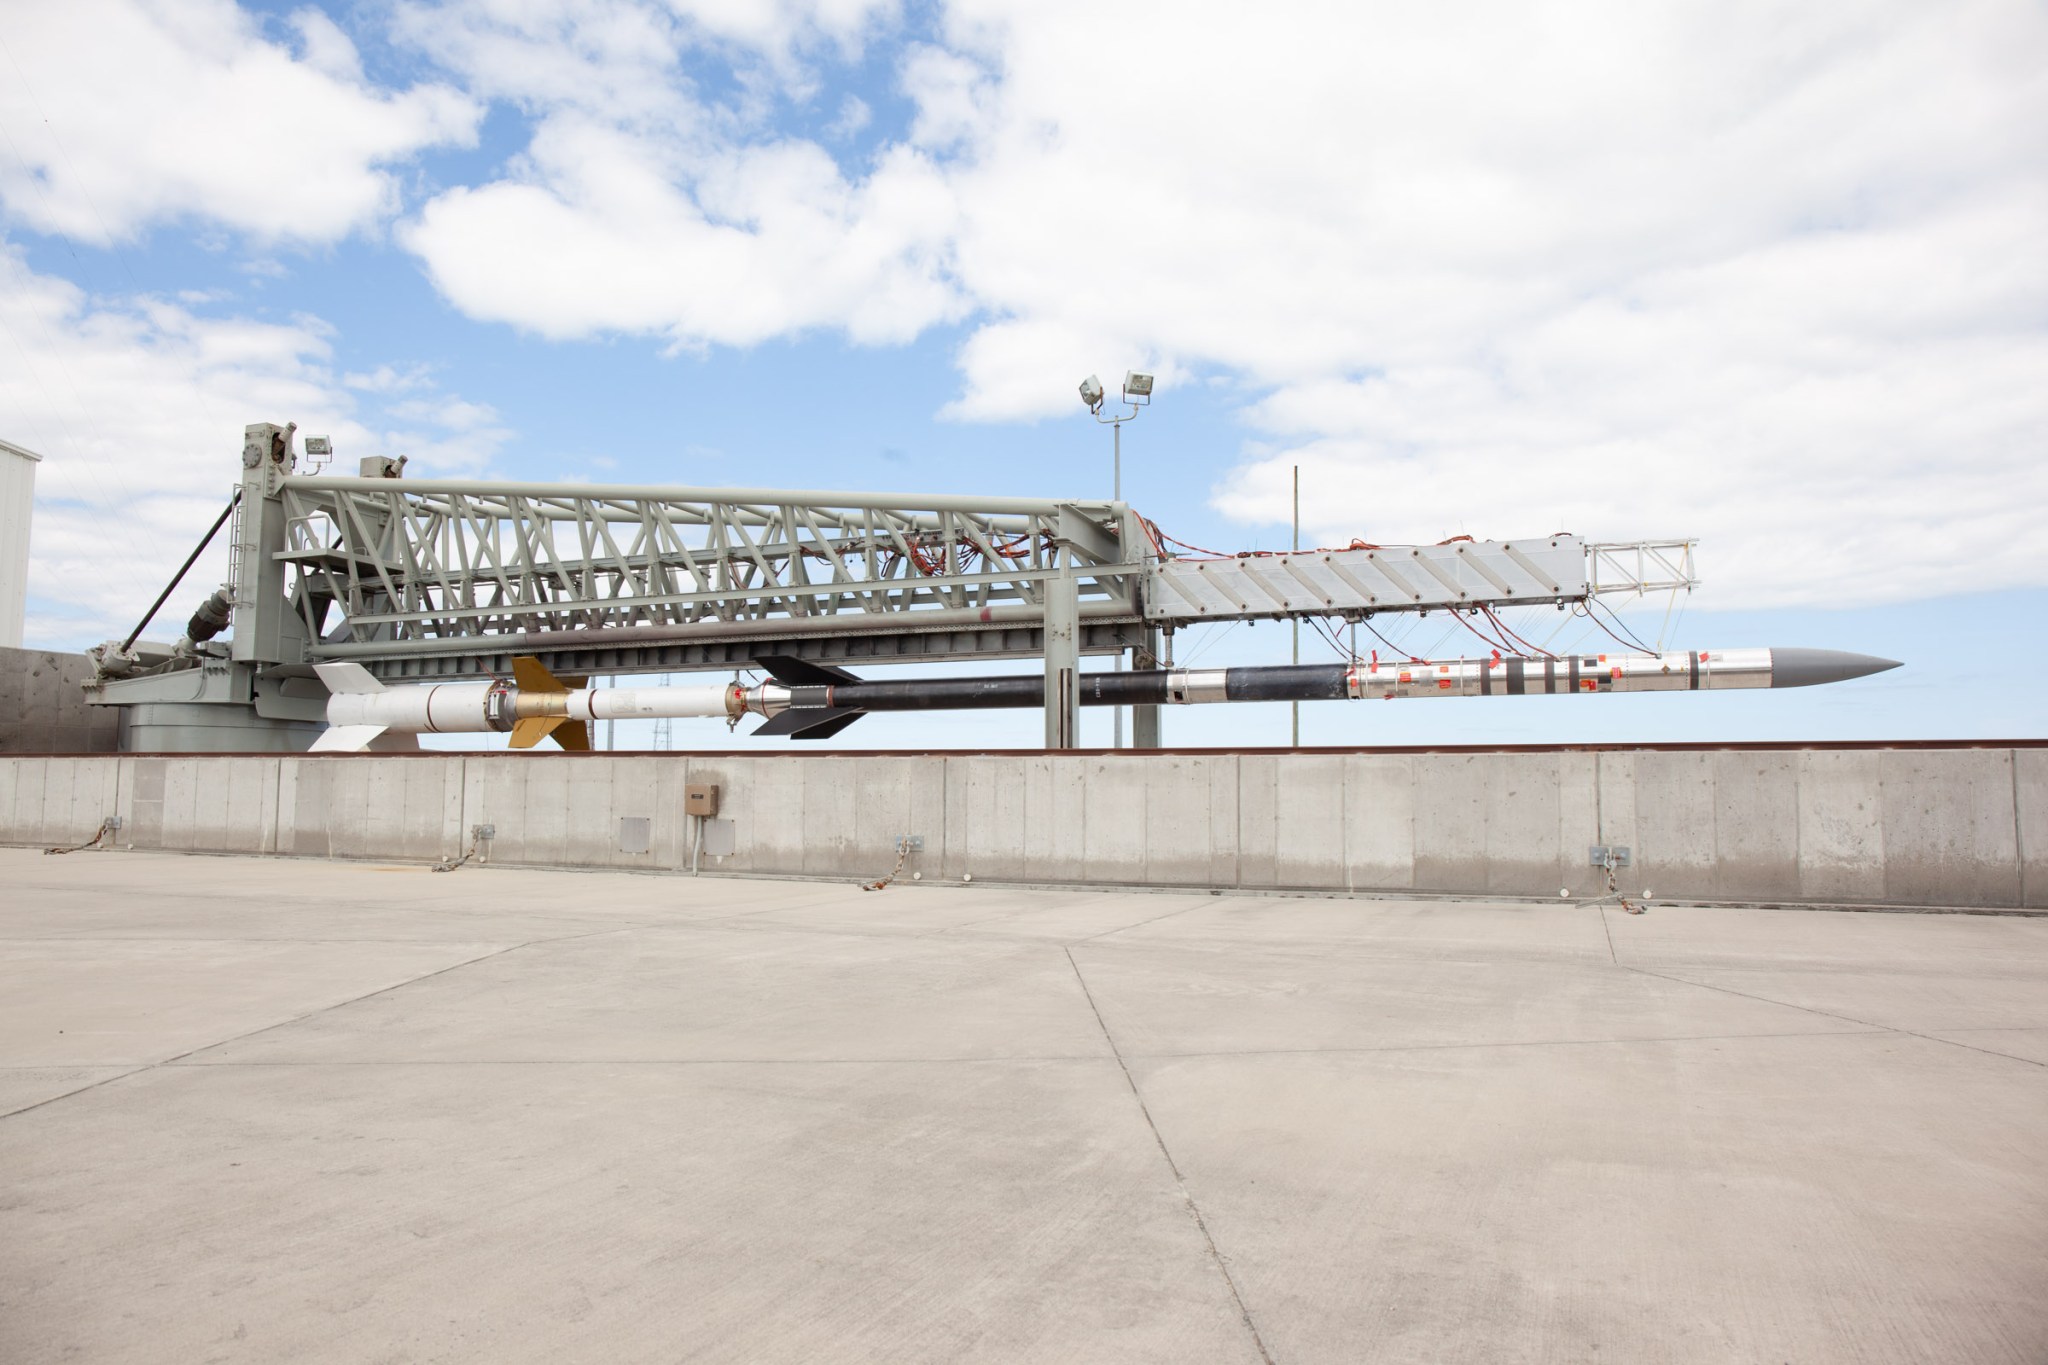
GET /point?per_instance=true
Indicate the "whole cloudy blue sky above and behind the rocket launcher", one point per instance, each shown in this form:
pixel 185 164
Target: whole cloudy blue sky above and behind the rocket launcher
pixel 1758 277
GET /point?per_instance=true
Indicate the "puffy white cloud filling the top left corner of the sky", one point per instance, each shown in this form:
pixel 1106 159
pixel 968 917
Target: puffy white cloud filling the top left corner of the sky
pixel 134 112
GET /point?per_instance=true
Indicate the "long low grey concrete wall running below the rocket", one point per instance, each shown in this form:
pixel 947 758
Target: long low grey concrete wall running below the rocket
pixel 1859 826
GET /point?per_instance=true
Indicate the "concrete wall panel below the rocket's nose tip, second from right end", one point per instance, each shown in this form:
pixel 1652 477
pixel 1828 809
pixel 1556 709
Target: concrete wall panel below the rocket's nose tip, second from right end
pixel 1951 830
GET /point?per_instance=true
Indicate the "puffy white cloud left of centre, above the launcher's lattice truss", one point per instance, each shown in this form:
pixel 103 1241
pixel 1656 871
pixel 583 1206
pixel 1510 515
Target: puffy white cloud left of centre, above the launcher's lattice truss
pixel 771 243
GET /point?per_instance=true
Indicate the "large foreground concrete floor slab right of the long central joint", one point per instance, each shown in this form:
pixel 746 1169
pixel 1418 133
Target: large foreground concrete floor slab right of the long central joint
pixel 1850 1198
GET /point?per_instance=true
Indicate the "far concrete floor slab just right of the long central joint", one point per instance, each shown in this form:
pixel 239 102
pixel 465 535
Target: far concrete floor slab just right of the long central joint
pixel 1179 1000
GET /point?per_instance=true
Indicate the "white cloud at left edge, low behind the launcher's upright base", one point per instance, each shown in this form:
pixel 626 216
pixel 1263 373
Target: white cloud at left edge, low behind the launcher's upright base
pixel 138 410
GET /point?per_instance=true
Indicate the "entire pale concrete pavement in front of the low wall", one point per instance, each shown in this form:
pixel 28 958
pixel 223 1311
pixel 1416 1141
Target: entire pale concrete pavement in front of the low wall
pixel 744 1120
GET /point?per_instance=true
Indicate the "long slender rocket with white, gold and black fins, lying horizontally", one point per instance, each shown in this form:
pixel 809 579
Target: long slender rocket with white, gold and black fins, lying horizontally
pixel 814 701
